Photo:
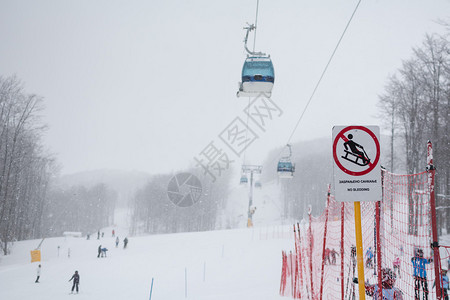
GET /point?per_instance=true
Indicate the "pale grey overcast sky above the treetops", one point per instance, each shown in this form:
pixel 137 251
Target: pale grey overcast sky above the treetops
pixel 147 85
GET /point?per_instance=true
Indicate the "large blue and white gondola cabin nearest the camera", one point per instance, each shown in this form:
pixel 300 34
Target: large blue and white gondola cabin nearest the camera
pixel 257 77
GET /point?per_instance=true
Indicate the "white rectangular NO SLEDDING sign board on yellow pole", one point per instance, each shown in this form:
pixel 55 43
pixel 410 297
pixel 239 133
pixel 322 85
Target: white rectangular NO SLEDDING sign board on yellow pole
pixel 356 163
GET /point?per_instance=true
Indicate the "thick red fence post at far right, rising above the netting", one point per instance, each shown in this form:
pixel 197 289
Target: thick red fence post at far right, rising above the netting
pixel 437 260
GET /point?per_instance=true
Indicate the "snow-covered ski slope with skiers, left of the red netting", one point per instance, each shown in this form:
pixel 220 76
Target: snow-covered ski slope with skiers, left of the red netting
pixel 230 264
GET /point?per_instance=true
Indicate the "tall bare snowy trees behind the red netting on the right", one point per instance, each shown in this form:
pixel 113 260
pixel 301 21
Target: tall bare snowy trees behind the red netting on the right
pixel 416 108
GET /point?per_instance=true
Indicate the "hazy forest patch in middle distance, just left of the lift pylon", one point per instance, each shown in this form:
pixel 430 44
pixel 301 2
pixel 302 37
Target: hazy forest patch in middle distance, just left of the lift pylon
pixel 153 212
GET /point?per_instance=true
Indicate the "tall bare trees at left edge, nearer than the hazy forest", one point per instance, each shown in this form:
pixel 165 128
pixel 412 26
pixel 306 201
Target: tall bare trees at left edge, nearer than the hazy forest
pixel 25 168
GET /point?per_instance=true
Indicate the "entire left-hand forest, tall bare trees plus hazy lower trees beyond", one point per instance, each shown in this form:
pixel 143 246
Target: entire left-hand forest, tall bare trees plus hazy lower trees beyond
pixel 28 202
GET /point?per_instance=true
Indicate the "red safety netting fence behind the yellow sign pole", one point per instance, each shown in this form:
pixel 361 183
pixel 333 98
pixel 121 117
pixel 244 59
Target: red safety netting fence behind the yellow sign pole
pixel 322 265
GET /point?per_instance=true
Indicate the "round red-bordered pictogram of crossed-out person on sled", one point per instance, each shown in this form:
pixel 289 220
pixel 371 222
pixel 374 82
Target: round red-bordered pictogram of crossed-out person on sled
pixel 349 150
